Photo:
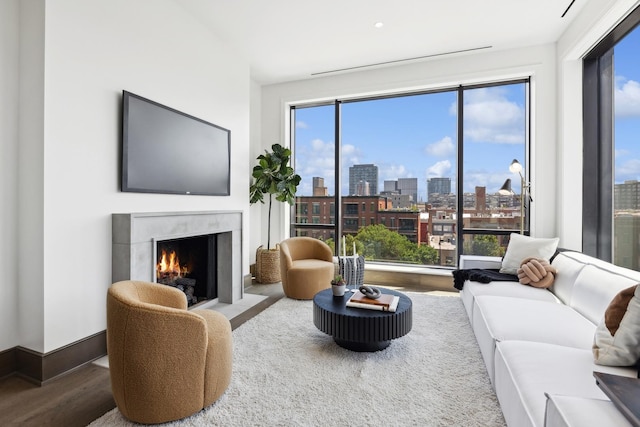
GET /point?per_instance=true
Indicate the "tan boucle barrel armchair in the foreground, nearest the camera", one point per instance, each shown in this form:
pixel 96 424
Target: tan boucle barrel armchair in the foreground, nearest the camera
pixel 165 362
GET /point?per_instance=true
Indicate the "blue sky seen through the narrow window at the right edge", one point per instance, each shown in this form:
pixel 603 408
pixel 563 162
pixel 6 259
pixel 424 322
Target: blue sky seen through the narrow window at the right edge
pixel 627 107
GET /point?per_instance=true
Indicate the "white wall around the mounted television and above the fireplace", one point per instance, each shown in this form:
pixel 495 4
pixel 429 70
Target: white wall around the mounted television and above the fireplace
pixel 93 51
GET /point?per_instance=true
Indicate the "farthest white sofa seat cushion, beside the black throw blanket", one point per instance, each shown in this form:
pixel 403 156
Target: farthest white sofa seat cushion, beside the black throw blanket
pixel 506 289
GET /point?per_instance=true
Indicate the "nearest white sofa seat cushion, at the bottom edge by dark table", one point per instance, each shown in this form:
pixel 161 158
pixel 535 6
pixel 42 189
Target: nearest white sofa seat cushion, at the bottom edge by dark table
pixel 571 411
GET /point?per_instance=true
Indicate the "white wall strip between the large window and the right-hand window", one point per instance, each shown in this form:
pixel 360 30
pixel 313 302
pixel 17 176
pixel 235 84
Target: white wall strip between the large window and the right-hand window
pixel 595 20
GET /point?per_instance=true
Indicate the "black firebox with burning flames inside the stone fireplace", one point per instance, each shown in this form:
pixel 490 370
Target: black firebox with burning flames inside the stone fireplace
pixel 189 264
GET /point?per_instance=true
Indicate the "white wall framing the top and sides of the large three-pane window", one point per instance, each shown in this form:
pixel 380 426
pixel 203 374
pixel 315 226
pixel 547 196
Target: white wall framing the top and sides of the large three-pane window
pixel 536 61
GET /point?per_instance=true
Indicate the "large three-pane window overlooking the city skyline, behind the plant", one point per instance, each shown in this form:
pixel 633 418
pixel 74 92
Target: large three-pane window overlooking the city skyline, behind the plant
pixel 415 177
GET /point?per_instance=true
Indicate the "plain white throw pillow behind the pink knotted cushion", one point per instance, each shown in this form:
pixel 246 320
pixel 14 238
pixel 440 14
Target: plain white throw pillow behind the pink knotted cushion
pixel 521 247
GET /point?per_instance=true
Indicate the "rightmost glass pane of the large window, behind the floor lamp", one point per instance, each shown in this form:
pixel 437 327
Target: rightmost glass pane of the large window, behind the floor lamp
pixel 495 133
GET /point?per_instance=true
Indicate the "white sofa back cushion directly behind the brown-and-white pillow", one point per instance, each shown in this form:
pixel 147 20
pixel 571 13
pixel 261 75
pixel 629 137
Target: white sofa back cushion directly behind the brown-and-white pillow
pixel 594 289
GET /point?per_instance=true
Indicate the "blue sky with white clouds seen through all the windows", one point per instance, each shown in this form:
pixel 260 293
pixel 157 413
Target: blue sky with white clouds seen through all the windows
pixel 416 136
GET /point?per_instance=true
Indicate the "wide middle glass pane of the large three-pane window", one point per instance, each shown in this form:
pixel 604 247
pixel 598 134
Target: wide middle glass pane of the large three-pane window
pixel 391 147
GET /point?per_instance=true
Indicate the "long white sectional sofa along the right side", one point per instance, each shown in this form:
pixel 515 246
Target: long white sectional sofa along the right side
pixel 537 343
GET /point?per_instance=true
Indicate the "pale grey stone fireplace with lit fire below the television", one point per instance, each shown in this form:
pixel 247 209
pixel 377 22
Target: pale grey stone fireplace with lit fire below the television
pixel 139 239
